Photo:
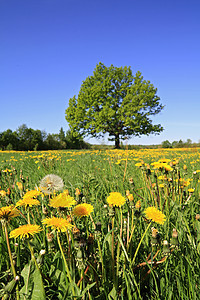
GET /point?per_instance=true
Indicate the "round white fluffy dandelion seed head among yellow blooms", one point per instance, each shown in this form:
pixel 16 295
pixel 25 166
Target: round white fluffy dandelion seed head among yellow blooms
pixel 51 183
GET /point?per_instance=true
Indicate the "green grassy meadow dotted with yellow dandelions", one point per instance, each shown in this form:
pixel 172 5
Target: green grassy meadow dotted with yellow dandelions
pixel 100 224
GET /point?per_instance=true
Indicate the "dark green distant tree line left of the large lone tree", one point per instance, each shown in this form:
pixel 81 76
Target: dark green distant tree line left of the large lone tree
pixel 24 139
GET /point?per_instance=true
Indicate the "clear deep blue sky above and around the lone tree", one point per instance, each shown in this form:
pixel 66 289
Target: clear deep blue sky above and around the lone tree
pixel 48 47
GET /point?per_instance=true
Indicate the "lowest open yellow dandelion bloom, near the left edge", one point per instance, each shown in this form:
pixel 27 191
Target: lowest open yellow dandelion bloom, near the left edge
pixel 25 231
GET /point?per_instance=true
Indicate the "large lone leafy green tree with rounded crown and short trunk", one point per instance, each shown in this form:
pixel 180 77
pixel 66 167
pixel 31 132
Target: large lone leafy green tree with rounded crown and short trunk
pixel 114 101
